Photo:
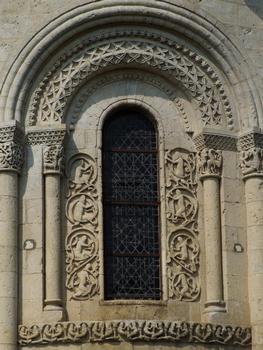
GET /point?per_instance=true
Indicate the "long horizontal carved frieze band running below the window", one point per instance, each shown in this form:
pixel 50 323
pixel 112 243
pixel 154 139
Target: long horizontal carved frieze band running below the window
pixel 132 331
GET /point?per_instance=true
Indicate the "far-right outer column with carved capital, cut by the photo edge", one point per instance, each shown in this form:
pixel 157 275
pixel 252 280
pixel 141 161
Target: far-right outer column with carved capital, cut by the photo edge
pixel 252 169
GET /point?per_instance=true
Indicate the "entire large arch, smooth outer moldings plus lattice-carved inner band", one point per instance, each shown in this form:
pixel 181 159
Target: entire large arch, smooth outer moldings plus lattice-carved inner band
pixel 221 85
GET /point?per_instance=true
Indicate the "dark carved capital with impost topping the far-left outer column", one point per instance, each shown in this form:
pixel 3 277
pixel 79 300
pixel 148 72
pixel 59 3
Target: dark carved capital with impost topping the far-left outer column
pixel 11 148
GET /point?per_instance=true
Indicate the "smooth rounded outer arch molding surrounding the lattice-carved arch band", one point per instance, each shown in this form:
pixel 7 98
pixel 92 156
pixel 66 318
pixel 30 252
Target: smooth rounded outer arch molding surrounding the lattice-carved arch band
pixel 163 14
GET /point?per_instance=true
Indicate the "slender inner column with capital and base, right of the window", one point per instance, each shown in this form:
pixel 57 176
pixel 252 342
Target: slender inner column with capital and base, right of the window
pixel 209 167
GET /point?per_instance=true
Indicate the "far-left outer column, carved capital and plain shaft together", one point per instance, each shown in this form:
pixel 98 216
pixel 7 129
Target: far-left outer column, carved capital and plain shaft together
pixel 11 159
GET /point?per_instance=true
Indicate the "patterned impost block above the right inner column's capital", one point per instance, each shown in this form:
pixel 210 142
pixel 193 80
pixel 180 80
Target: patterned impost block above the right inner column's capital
pixel 215 141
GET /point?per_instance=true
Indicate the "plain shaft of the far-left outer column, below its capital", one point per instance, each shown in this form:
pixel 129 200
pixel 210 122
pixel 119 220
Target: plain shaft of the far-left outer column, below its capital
pixel 8 260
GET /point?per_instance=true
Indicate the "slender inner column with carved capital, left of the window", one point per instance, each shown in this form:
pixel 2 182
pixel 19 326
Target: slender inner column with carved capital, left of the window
pixel 53 156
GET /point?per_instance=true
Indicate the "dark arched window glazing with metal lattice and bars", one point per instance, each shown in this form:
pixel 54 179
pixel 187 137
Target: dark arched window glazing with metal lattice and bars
pixel 131 207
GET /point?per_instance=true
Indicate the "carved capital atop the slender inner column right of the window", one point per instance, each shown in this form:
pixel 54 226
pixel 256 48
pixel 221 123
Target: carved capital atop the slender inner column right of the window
pixel 209 163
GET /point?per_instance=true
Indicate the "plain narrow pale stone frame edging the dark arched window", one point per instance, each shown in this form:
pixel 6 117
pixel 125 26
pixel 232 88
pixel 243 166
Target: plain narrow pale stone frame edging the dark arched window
pixel 155 118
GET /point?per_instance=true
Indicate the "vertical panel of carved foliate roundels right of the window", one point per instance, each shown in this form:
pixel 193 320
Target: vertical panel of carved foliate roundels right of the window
pixel 181 212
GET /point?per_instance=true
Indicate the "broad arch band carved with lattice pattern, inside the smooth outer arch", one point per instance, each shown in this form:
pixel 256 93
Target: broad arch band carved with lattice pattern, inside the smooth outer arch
pixel 81 62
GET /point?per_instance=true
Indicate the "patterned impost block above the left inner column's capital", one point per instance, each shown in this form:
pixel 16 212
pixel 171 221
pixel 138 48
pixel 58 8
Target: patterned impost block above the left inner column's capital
pixel 46 136
